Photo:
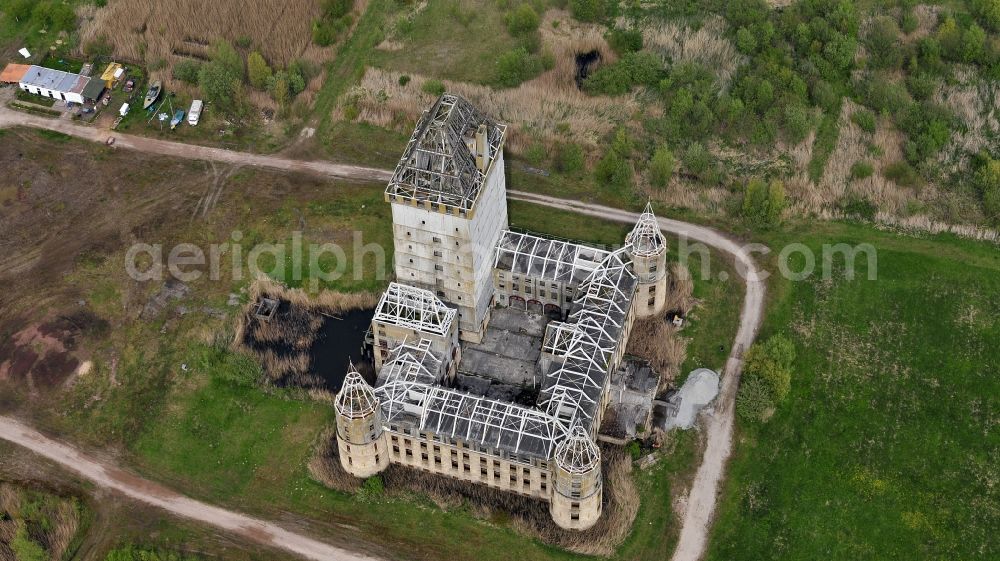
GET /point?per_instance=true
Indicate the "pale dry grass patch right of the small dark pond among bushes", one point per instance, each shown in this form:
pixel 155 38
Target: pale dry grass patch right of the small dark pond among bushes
pixel 706 45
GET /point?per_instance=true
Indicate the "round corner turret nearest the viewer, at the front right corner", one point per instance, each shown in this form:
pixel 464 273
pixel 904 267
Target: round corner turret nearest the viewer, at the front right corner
pixel 576 496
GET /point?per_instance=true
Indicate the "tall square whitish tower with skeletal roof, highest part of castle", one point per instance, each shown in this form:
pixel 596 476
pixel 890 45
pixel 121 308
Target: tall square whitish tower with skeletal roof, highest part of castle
pixel 449 207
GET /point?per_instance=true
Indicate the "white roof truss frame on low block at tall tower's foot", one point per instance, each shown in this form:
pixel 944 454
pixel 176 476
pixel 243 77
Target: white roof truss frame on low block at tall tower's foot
pixel 414 308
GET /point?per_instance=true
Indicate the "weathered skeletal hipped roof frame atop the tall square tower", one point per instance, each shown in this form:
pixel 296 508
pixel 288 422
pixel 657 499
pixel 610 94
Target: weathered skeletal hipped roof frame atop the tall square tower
pixel 438 165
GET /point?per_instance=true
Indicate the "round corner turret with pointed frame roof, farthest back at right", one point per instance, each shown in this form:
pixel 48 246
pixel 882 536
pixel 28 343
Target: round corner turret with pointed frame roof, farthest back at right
pixel 648 249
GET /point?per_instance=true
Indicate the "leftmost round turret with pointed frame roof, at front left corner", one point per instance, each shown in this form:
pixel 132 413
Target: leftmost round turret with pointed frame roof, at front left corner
pixel 360 440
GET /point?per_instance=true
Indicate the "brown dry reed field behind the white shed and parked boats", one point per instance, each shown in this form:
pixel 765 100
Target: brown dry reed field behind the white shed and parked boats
pixel 145 31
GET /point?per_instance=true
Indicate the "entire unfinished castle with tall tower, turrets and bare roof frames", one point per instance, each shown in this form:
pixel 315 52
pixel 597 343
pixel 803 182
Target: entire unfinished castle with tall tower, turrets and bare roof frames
pixel 497 352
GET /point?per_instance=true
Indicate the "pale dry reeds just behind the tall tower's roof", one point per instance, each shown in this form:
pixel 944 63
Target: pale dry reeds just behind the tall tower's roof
pixel 547 108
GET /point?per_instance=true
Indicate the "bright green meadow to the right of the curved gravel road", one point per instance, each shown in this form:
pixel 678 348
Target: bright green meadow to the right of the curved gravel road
pixel 887 447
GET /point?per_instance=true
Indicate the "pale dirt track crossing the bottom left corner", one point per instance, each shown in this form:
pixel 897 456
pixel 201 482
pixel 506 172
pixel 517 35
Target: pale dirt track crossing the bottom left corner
pixel 150 493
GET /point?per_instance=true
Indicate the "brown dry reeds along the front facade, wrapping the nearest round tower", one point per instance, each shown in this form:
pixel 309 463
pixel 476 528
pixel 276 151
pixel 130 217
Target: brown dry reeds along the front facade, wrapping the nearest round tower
pixel 525 515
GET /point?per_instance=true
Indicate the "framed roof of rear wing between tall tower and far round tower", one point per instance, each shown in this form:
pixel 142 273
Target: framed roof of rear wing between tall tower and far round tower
pixel 546 259
